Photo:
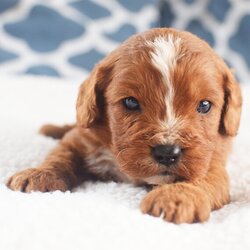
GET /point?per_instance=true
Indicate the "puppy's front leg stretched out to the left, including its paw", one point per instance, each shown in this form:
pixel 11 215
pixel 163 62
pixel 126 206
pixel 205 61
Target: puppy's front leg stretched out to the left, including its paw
pixel 62 170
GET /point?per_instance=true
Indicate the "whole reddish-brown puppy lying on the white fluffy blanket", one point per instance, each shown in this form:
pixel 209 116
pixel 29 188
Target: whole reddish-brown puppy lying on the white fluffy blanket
pixel 159 110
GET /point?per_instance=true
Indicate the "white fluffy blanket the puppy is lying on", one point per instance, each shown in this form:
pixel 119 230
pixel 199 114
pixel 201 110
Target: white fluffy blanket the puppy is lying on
pixel 98 216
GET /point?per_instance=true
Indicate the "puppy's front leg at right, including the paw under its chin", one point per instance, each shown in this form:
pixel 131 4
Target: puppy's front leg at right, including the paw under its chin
pixel 189 202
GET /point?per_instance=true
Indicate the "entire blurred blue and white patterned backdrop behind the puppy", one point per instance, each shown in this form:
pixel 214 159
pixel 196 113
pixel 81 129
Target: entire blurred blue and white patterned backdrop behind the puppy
pixel 65 38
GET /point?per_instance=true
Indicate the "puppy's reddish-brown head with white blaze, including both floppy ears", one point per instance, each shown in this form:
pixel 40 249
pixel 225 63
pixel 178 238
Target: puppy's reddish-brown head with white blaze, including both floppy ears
pixel 164 103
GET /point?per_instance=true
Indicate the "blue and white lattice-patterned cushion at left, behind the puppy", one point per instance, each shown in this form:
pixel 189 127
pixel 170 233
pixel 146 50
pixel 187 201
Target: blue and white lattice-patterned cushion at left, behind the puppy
pixel 66 37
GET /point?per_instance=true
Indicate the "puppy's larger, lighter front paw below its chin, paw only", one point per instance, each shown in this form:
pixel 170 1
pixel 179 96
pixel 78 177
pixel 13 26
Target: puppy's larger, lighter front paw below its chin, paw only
pixel 178 203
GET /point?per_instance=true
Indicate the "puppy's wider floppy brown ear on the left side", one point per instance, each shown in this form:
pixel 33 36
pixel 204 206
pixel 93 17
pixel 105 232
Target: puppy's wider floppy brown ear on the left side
pixel 90 102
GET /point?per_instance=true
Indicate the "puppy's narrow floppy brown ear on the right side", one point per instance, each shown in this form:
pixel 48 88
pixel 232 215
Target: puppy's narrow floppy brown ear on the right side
pixel 230 116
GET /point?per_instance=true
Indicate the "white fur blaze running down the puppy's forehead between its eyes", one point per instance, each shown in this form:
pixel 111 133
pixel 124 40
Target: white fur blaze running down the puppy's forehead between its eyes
pixel 166 52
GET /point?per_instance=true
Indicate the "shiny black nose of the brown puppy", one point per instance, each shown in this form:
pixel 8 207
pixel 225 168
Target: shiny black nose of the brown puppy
pixel 166 154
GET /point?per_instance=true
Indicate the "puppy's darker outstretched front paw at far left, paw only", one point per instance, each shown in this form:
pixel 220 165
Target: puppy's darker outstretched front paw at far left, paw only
pixel 43 180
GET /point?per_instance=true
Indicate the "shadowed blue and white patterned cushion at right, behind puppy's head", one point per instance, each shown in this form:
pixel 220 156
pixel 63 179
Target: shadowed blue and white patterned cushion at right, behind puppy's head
pixel 224 24
